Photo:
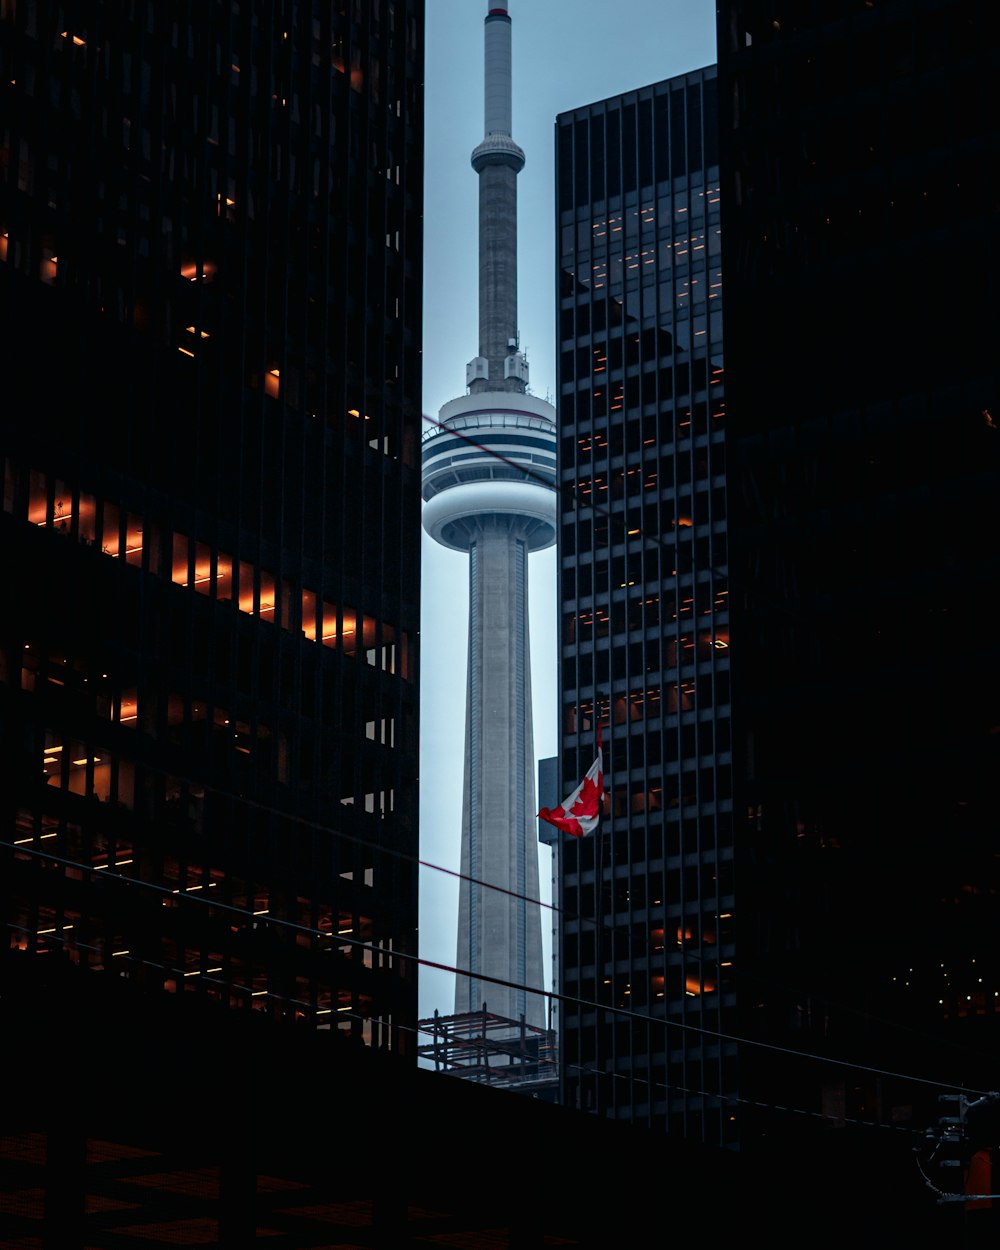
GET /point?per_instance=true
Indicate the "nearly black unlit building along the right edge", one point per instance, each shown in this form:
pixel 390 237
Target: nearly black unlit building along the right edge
pixel 859 148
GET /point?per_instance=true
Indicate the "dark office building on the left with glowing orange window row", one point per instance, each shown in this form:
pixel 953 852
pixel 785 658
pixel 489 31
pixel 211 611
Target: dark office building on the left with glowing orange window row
pixel 211 261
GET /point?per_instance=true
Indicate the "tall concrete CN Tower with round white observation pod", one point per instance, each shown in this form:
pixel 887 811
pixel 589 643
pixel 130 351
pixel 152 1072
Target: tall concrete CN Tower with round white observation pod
pixel 489 491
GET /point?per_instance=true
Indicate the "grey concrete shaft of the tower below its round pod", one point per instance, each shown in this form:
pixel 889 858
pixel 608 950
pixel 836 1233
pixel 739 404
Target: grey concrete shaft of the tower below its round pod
pixel 499 931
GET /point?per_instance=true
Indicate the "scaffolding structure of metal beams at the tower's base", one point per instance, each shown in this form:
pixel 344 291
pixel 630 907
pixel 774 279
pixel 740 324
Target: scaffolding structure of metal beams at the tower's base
pixel 493 1051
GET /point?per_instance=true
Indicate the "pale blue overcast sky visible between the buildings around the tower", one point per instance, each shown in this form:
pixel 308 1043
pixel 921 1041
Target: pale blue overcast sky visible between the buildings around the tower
pixel 567 53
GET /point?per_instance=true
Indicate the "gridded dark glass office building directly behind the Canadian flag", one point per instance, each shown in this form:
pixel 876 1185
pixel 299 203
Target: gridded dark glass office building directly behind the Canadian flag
pixel 648 904
